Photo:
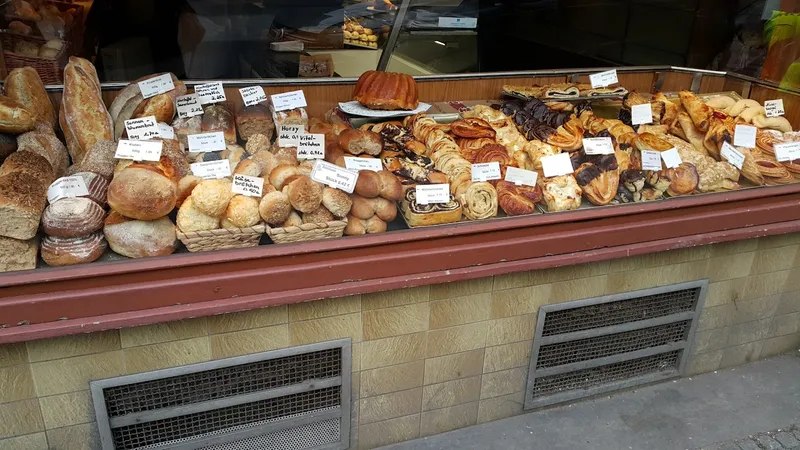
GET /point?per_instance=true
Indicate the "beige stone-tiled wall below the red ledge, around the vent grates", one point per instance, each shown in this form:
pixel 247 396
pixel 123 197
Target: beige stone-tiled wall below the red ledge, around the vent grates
pixel 425 360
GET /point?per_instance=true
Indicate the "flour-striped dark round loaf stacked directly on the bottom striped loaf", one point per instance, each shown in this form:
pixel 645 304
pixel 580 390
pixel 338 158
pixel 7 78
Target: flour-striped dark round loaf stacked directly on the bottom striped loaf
pixel 72 217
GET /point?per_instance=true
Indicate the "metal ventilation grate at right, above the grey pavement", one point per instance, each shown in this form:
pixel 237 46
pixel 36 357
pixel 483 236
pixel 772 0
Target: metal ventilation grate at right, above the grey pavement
pixel 603 344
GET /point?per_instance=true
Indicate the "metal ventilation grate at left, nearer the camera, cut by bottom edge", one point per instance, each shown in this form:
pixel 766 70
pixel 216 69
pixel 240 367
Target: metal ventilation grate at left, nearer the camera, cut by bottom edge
pixel 248 402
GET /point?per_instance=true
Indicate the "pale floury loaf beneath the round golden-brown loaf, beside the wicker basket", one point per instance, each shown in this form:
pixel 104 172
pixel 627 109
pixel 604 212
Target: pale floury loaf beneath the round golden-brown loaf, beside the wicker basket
pixel 140 238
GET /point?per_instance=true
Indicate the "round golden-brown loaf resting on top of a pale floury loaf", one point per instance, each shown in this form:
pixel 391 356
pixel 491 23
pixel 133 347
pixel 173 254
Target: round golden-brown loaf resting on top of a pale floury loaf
pixel 142 192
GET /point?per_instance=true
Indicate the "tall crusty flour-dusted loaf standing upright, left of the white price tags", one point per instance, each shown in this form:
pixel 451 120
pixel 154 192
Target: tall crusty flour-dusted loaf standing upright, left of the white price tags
pixel 85 113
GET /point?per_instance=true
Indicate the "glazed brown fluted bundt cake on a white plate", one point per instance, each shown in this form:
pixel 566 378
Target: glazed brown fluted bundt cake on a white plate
pixel 386 90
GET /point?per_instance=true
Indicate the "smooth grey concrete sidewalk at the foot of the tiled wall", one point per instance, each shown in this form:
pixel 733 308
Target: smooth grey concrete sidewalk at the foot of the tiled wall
pixel 703 411
